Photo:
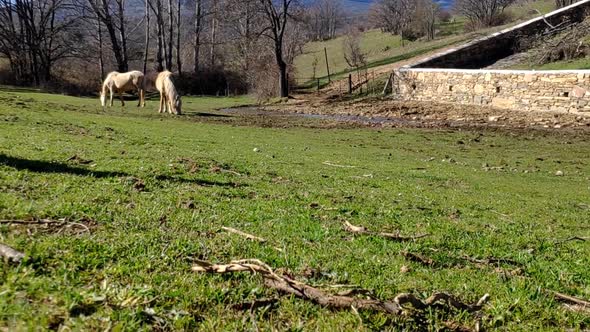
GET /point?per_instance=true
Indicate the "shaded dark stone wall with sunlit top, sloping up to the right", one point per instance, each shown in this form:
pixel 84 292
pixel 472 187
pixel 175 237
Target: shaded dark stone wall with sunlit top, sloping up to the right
pixel 485 51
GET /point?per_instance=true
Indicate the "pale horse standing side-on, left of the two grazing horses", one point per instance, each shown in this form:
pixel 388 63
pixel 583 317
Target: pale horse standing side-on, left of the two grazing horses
pixel 123 82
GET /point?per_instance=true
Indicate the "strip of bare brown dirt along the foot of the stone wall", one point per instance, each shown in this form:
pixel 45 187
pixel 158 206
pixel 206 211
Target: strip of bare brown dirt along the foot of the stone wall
pixel 388 113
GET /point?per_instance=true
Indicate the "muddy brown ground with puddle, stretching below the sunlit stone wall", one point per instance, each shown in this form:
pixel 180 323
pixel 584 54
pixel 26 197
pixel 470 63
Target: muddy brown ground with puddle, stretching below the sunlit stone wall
pixel 387 113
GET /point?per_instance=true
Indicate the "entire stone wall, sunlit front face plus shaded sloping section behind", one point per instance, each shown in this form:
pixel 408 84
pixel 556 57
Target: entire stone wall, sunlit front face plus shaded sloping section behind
pixel 436 79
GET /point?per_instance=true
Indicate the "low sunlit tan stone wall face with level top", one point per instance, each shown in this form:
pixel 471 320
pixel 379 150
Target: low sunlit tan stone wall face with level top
pixel 557 91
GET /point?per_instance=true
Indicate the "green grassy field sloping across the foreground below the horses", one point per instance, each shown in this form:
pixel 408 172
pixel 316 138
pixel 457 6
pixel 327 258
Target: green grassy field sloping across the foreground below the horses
pixel 155 190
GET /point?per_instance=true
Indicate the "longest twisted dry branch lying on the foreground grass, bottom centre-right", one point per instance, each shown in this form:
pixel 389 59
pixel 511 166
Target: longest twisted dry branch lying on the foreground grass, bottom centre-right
pixel 288 285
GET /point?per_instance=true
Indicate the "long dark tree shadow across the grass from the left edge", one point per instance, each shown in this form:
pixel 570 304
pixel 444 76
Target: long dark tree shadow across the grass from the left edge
pixel 42 166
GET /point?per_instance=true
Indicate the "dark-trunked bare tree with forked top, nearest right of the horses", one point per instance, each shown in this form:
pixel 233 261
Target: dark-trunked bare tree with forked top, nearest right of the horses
pixel 277 14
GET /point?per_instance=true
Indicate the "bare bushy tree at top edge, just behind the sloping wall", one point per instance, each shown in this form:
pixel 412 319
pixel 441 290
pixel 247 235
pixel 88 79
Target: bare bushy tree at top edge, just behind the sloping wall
pixel 482 13
